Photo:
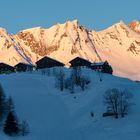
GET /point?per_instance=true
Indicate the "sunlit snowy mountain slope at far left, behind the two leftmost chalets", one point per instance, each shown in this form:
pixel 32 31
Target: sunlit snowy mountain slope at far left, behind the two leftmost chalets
pixel 12 51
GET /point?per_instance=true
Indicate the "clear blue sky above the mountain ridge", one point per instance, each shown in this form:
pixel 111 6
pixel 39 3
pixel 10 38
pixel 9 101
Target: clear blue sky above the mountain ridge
pixel 16 15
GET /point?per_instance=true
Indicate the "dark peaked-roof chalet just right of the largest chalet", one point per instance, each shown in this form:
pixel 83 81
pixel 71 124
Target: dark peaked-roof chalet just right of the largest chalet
pixel 76 62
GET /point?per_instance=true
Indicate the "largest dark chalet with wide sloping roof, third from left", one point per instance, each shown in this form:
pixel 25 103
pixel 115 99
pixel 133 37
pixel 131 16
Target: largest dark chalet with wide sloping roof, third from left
pixel 47 62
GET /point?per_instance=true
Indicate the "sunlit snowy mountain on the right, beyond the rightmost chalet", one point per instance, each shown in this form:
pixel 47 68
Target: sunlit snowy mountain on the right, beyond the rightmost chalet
pixel 120 46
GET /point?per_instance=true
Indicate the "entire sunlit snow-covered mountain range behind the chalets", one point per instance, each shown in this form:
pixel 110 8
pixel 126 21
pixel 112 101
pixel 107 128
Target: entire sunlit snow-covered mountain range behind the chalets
pixel 119 45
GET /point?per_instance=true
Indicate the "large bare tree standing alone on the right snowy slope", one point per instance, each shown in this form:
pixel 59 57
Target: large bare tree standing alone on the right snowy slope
pixel 117 101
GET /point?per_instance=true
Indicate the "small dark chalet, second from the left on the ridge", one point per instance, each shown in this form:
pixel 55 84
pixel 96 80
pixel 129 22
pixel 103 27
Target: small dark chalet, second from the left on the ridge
pixel 22 67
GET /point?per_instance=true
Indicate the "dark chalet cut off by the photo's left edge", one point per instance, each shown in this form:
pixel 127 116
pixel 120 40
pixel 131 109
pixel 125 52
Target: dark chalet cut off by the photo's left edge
pixel 5 68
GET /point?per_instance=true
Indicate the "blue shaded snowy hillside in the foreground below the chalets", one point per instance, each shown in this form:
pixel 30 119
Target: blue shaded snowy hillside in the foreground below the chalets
pixel 54 115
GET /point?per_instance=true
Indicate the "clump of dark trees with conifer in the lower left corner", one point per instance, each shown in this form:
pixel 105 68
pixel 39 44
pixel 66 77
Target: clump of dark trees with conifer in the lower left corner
pixel 8 118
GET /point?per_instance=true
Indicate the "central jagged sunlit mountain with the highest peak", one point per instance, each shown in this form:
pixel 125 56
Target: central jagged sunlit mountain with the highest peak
pixel 62 42
